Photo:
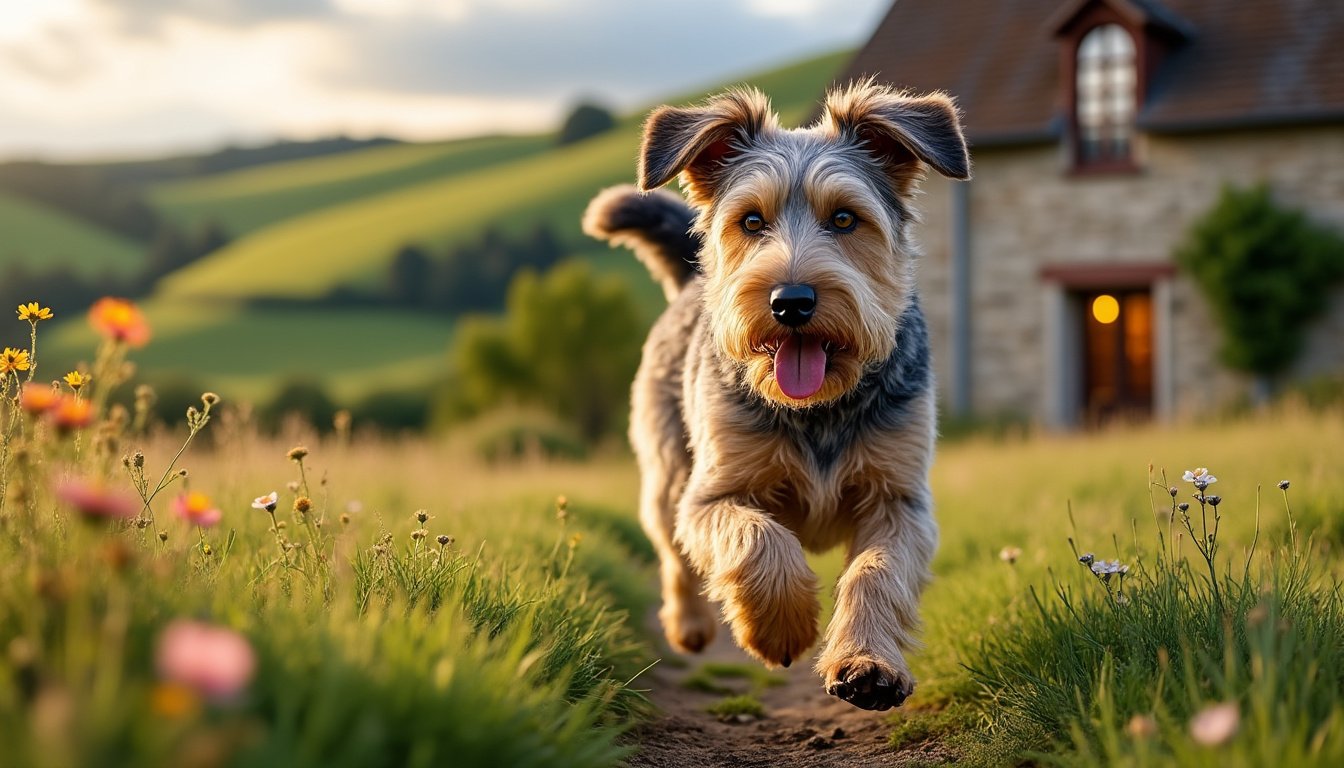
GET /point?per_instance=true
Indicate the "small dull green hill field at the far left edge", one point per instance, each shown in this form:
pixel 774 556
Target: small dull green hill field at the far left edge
pixel 42 240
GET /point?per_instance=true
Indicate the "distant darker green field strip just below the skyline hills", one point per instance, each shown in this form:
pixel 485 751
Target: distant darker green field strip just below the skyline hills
pixel 249 200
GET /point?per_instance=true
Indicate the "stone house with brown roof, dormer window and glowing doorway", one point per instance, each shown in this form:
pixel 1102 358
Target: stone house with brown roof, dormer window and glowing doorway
pixel 1100 131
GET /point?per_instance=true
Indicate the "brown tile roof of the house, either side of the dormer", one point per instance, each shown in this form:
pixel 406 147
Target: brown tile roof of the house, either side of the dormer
pixel 1241 64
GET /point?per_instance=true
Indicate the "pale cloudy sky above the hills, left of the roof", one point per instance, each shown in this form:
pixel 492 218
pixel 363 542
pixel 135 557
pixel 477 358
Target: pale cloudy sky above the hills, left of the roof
pixel 95 79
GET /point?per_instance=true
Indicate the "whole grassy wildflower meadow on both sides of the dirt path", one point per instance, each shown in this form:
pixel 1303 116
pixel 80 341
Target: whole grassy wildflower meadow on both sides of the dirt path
pixel 409 603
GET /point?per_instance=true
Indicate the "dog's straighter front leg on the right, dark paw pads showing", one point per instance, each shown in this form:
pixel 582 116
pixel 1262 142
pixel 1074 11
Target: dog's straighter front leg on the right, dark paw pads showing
pixel 878 605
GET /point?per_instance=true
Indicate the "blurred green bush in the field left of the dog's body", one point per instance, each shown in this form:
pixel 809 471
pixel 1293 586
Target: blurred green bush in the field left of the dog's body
pixel 569 342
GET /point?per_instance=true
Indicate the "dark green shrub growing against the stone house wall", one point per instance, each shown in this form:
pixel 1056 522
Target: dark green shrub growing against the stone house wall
pixel 1267 274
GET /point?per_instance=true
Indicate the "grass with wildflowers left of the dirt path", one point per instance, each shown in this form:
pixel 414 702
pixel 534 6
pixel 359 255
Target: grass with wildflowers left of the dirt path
pixel 374 644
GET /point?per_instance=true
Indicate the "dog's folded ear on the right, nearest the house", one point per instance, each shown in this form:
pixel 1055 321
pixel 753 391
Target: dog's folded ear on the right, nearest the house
pixel 902 130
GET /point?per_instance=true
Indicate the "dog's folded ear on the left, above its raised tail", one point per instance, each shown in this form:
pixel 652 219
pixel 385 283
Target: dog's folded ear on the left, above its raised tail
pixel 697 142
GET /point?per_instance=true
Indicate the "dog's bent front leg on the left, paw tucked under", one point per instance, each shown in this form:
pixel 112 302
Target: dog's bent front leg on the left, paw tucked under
pixel 756 568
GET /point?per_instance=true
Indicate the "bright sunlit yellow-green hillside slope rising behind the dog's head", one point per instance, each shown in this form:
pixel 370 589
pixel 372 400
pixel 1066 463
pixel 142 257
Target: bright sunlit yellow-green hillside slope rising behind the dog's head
pixel 308 256
